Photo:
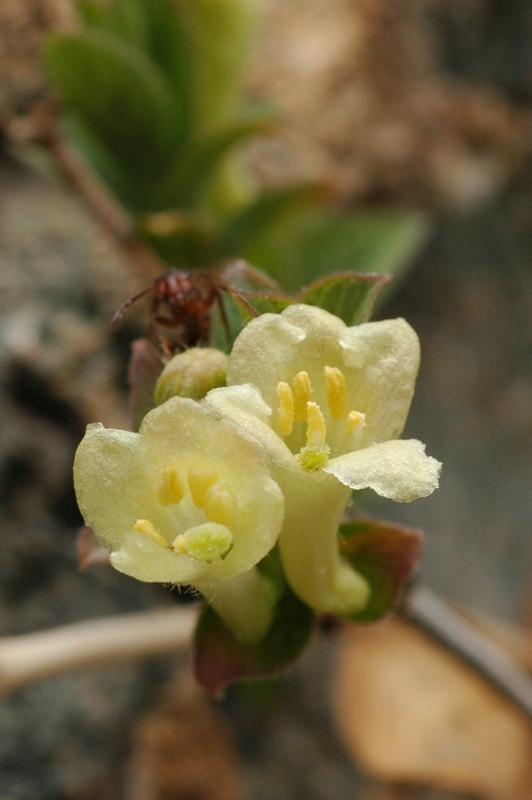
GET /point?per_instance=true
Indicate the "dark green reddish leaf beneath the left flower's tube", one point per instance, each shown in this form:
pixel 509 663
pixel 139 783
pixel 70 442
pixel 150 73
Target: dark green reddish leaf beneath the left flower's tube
pixel 220 659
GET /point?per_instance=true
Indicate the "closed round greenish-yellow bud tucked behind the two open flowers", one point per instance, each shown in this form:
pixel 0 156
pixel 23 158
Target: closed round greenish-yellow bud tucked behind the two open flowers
pixel 192 374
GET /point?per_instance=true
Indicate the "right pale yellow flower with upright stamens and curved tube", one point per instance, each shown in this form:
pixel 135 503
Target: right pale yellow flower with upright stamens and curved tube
pixel 328 403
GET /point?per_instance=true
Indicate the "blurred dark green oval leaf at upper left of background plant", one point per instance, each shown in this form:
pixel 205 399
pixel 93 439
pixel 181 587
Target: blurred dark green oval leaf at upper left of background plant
pixel 118 94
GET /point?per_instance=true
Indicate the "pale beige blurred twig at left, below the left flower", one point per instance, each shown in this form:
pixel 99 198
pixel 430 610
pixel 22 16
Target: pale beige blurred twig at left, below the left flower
pixel 35 656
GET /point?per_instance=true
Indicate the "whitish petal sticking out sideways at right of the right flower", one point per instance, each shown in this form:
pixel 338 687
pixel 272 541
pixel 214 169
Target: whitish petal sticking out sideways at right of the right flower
pixel 399 470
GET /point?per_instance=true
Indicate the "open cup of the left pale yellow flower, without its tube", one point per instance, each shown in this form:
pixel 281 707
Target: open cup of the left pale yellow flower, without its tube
pixel 189 499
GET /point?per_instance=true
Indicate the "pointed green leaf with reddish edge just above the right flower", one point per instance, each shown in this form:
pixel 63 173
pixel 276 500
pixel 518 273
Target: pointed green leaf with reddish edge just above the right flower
pixel 349 295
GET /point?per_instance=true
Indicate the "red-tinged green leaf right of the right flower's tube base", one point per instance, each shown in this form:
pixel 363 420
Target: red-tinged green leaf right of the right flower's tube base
pixel 386 555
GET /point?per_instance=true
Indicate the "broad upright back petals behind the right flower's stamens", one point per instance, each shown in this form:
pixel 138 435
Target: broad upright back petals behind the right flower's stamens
pixel 378 360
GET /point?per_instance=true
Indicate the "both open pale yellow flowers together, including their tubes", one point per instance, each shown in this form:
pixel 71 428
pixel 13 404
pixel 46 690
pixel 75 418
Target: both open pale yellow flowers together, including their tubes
pixel 312 409
